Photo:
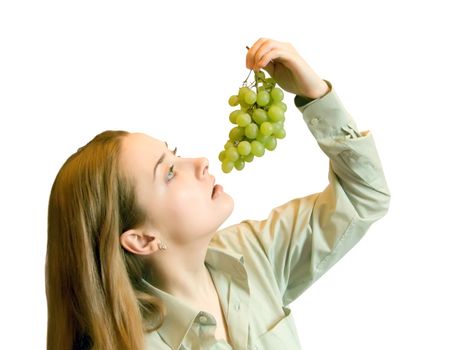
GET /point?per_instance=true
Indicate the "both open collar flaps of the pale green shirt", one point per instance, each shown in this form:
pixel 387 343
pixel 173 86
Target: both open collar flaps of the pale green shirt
pixel 179 315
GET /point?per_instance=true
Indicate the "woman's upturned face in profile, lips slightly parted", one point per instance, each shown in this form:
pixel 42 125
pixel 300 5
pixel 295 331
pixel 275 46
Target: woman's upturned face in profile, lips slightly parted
pixel 177 194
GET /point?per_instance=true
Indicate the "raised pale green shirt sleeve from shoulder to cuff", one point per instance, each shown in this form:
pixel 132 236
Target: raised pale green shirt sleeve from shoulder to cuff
pixel 305 237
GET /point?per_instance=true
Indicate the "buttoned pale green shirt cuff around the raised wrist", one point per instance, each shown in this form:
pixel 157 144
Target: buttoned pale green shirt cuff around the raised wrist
pixel 326 116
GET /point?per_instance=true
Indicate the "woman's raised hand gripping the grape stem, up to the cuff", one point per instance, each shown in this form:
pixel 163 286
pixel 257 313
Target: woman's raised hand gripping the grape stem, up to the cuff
pixel 286 66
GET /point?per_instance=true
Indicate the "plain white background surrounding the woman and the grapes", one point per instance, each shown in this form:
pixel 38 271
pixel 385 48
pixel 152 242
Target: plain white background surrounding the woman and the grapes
pixel 69 70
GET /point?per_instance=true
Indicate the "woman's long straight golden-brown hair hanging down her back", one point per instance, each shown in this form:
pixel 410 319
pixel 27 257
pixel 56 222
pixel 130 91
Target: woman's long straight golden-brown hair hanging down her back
pixel 93 286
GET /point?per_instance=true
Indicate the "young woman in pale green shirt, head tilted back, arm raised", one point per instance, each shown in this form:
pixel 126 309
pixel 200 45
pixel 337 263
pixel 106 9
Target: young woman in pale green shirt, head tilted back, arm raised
pixel 135 259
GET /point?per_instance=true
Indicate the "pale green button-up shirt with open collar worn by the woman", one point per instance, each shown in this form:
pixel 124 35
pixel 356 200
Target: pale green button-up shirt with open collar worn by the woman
pixel 260 267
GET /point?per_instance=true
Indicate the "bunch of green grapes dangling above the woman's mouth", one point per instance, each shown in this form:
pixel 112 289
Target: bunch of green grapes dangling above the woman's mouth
pixel 258 122
